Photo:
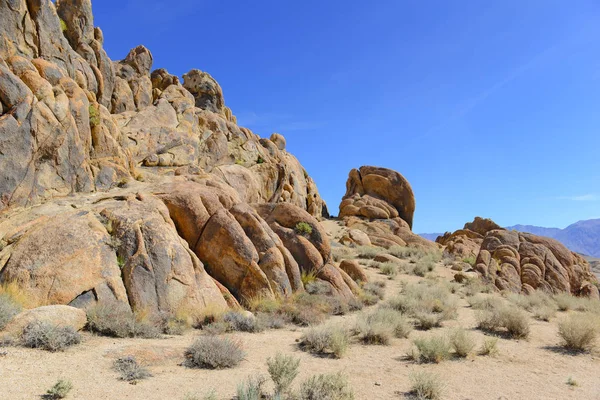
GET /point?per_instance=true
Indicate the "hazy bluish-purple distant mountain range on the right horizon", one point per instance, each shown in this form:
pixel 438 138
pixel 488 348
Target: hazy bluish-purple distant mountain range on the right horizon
pixel 582 237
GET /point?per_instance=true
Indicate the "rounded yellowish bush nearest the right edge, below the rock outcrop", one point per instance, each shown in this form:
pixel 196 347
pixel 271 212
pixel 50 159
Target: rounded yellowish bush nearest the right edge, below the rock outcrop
pixel 578 332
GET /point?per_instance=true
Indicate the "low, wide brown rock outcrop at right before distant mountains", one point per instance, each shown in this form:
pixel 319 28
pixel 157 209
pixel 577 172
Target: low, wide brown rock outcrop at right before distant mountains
pixel 521 262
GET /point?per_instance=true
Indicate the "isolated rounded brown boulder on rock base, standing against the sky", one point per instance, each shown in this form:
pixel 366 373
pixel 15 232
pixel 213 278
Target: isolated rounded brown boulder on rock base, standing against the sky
pixel 380 204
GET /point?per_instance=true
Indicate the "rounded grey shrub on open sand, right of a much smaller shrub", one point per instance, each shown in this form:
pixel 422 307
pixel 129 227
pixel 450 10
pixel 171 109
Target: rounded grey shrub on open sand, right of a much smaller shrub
pixel 214 352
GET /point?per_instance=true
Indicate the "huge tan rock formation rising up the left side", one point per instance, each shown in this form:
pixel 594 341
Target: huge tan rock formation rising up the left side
pixel 120 183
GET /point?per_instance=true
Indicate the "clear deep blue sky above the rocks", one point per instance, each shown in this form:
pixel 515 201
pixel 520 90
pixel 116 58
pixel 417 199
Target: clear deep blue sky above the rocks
pixel 487 108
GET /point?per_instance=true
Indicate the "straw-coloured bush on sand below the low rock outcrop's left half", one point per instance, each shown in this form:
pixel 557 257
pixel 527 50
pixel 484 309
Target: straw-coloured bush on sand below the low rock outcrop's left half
pixel 510 319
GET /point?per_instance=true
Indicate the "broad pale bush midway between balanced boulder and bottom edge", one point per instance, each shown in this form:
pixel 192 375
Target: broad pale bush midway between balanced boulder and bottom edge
pixel 430 304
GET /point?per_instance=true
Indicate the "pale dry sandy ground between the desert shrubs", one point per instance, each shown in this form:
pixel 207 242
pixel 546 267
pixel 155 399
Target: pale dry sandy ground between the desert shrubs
pixel 523 369
